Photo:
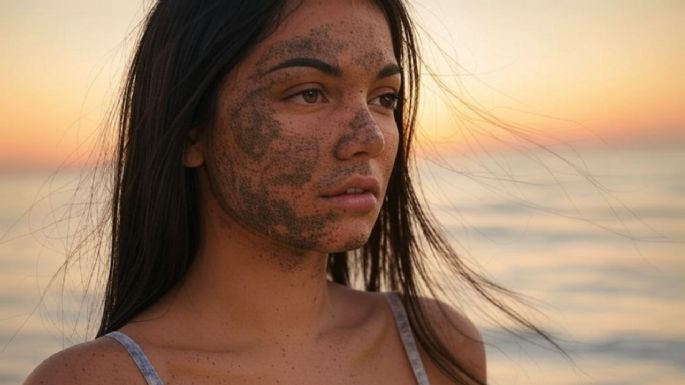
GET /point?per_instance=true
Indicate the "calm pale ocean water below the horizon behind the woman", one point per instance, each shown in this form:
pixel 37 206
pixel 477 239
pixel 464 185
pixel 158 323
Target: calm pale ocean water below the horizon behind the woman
pixel 595 240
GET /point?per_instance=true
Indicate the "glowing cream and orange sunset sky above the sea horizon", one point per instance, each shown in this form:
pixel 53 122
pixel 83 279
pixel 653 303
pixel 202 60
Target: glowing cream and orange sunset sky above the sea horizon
pixel 613 69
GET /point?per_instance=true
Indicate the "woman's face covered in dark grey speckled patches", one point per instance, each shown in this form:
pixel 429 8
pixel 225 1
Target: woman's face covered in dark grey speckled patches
pixel 304 138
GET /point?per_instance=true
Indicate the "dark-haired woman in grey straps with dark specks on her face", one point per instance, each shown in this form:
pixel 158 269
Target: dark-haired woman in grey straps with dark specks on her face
pixel 262 171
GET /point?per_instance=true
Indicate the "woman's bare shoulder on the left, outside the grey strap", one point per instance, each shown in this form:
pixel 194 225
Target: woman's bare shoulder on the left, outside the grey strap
pixel 99 362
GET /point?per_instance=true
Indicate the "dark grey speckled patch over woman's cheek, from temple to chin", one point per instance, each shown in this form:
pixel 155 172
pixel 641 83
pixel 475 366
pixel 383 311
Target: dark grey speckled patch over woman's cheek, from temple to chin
pixel 280 158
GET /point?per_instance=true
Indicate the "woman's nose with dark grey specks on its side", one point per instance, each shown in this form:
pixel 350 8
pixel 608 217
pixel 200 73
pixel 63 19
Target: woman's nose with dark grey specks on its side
pixel 361 136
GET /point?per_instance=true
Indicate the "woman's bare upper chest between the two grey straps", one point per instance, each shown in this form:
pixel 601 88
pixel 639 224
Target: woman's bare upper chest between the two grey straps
pixel 371 354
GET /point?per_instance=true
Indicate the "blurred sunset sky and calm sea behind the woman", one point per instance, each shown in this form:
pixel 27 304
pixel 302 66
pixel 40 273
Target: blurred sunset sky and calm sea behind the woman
pixel 551 147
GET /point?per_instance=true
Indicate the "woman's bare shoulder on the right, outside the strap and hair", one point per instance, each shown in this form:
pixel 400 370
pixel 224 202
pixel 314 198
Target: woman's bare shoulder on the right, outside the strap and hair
pixel 460 336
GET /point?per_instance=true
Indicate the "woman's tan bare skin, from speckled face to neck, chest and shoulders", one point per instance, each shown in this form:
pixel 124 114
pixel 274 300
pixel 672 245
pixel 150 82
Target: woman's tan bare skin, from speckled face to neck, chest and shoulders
pixel 256 306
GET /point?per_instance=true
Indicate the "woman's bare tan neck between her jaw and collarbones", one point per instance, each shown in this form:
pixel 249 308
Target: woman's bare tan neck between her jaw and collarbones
pixel 240 281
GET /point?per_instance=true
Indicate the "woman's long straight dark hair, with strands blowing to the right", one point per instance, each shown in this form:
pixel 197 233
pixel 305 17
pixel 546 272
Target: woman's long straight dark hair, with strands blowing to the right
pixel 186 49
